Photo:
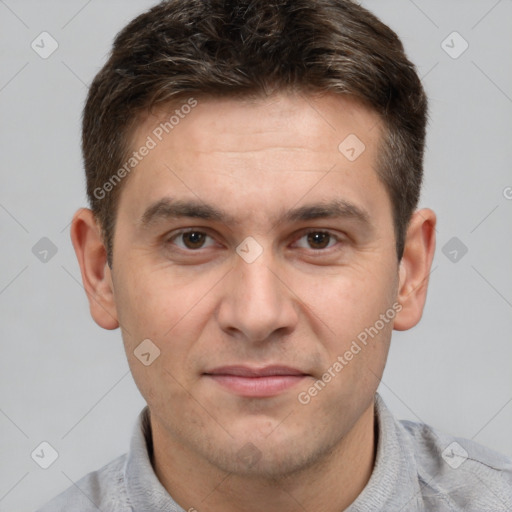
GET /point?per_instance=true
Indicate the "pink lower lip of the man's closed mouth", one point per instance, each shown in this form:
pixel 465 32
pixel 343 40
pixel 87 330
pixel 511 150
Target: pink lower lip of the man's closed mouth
pixel 266 386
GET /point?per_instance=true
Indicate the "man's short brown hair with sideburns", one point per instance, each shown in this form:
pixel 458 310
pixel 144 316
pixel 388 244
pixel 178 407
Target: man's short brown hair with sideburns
pixel 247 47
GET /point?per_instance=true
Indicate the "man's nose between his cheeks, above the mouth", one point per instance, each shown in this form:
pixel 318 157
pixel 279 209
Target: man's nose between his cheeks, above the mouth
pixel 257 305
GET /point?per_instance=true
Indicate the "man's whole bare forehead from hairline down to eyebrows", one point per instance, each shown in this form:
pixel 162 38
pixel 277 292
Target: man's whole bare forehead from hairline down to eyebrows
pixel 257 154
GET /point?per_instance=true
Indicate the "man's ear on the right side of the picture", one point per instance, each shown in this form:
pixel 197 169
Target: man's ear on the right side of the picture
pixel 414 270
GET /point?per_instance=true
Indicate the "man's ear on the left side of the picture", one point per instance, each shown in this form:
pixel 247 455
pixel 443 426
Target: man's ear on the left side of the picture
pixel 96 276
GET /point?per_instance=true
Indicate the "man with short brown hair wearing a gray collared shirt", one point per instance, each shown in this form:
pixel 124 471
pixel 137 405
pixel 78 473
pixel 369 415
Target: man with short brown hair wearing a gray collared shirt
pixel 254 170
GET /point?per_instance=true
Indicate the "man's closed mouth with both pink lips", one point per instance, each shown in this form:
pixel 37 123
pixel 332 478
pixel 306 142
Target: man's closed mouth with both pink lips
pixel 256 382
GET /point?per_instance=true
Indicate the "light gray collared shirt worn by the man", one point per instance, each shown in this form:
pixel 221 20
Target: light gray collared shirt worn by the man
pixel 417 469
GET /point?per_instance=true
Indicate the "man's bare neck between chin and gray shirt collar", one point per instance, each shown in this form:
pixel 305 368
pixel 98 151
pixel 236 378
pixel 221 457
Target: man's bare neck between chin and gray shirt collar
pixel 330 485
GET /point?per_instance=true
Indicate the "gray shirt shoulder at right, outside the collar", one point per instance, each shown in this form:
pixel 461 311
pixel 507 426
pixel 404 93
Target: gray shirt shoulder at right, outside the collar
pixel 459 473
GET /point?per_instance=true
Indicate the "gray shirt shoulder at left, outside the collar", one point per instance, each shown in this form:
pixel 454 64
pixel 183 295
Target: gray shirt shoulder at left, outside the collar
pixel 103 489
